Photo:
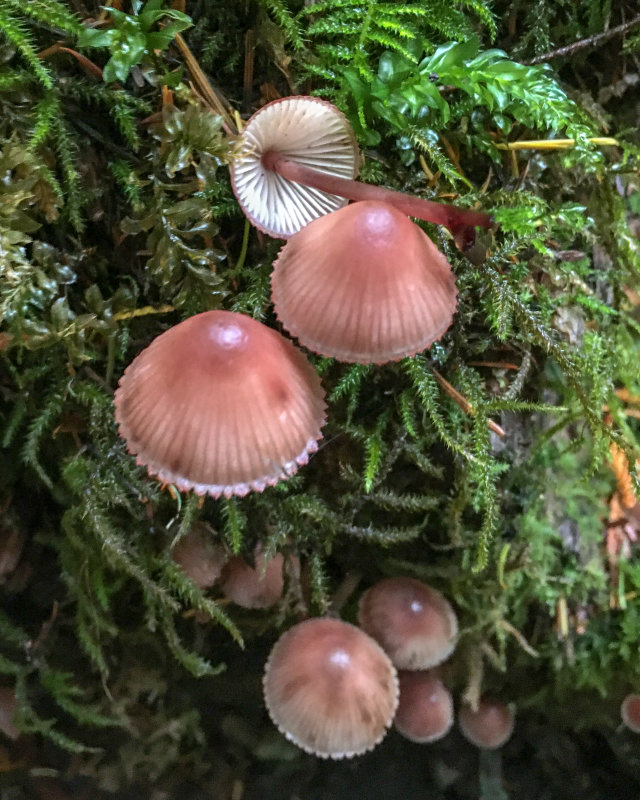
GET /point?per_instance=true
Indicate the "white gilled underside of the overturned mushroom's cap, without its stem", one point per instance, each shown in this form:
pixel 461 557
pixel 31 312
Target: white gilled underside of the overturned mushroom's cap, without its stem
pixel 308 131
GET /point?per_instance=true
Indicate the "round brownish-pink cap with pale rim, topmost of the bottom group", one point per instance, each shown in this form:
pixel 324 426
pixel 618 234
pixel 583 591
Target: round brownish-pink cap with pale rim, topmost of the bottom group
pixel 413 622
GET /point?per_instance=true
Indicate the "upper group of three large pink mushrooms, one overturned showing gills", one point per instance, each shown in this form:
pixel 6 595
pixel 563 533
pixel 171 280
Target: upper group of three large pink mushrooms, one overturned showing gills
pixel 223 405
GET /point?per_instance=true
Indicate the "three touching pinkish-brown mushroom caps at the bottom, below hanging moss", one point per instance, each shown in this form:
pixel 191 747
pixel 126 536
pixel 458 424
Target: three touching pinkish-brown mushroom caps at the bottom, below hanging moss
pixel 332 688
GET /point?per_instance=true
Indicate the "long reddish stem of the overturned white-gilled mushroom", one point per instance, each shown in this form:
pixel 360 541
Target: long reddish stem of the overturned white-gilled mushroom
pixel 440 213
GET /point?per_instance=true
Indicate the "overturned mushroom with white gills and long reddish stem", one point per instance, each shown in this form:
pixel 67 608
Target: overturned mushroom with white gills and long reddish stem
pixel 297 159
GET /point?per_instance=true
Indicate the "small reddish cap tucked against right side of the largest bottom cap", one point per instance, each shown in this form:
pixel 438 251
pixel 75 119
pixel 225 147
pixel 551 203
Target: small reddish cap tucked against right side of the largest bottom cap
pixel 425 710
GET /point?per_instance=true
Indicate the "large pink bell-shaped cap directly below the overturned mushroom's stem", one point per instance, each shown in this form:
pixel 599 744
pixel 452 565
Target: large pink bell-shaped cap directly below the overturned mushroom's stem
pixel 364 284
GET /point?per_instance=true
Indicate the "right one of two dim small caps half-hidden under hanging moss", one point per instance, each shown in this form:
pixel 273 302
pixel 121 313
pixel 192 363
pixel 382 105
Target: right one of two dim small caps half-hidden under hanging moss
pixel 254 587
